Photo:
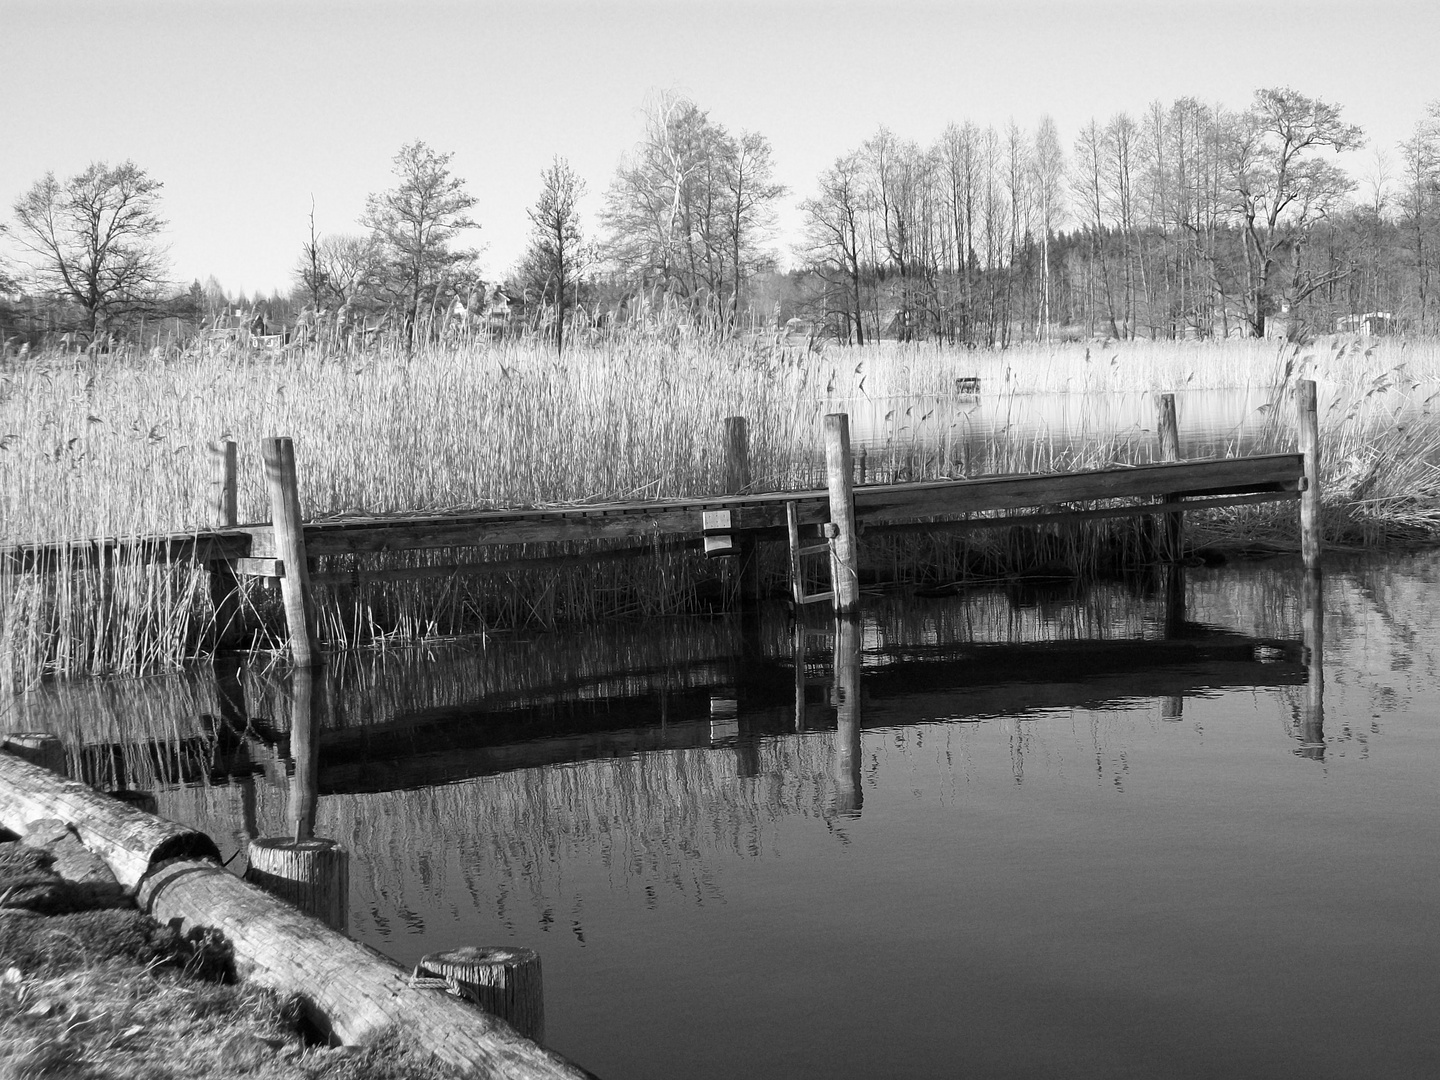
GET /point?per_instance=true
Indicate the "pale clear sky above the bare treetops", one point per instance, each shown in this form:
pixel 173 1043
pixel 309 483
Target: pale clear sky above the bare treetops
pixel 246 112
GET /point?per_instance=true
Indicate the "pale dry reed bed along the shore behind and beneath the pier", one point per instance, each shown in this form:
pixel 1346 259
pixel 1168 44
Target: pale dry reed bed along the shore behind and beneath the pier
pixel 120 446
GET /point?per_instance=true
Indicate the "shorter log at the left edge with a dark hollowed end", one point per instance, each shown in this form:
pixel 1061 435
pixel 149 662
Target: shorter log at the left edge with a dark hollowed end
pixel 129 840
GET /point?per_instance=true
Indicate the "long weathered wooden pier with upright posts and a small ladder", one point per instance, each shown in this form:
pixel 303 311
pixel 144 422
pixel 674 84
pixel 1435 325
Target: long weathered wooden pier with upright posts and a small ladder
pixel 830 521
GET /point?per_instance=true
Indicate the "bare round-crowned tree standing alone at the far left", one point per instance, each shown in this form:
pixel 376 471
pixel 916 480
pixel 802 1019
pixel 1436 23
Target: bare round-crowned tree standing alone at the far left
pixel 96 240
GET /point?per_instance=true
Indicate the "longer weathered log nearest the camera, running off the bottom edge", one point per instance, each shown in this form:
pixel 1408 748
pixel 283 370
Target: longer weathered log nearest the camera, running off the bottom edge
pixel 351 993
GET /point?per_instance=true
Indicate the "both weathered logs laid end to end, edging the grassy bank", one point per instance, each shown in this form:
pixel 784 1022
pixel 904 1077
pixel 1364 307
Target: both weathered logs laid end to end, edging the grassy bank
pixel 349 991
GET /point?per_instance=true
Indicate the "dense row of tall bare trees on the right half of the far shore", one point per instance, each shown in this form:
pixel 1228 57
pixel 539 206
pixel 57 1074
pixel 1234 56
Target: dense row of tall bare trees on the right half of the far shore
pixel 1189 221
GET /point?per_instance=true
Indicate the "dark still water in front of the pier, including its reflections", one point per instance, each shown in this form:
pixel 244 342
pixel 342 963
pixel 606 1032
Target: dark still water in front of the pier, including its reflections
pixel 1095 834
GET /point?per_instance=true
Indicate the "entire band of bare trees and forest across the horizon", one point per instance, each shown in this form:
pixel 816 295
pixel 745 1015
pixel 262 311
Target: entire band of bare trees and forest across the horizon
pixel 1189 221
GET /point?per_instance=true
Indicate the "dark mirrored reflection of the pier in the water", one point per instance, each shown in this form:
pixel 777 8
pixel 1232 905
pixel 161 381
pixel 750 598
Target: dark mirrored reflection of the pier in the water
pixel 415 721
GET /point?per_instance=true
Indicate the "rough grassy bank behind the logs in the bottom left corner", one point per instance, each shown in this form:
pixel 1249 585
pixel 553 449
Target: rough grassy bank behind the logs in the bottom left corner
pixel 103 993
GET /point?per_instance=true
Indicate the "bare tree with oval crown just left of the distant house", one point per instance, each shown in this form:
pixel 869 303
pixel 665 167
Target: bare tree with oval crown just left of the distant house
pixel 417 222
